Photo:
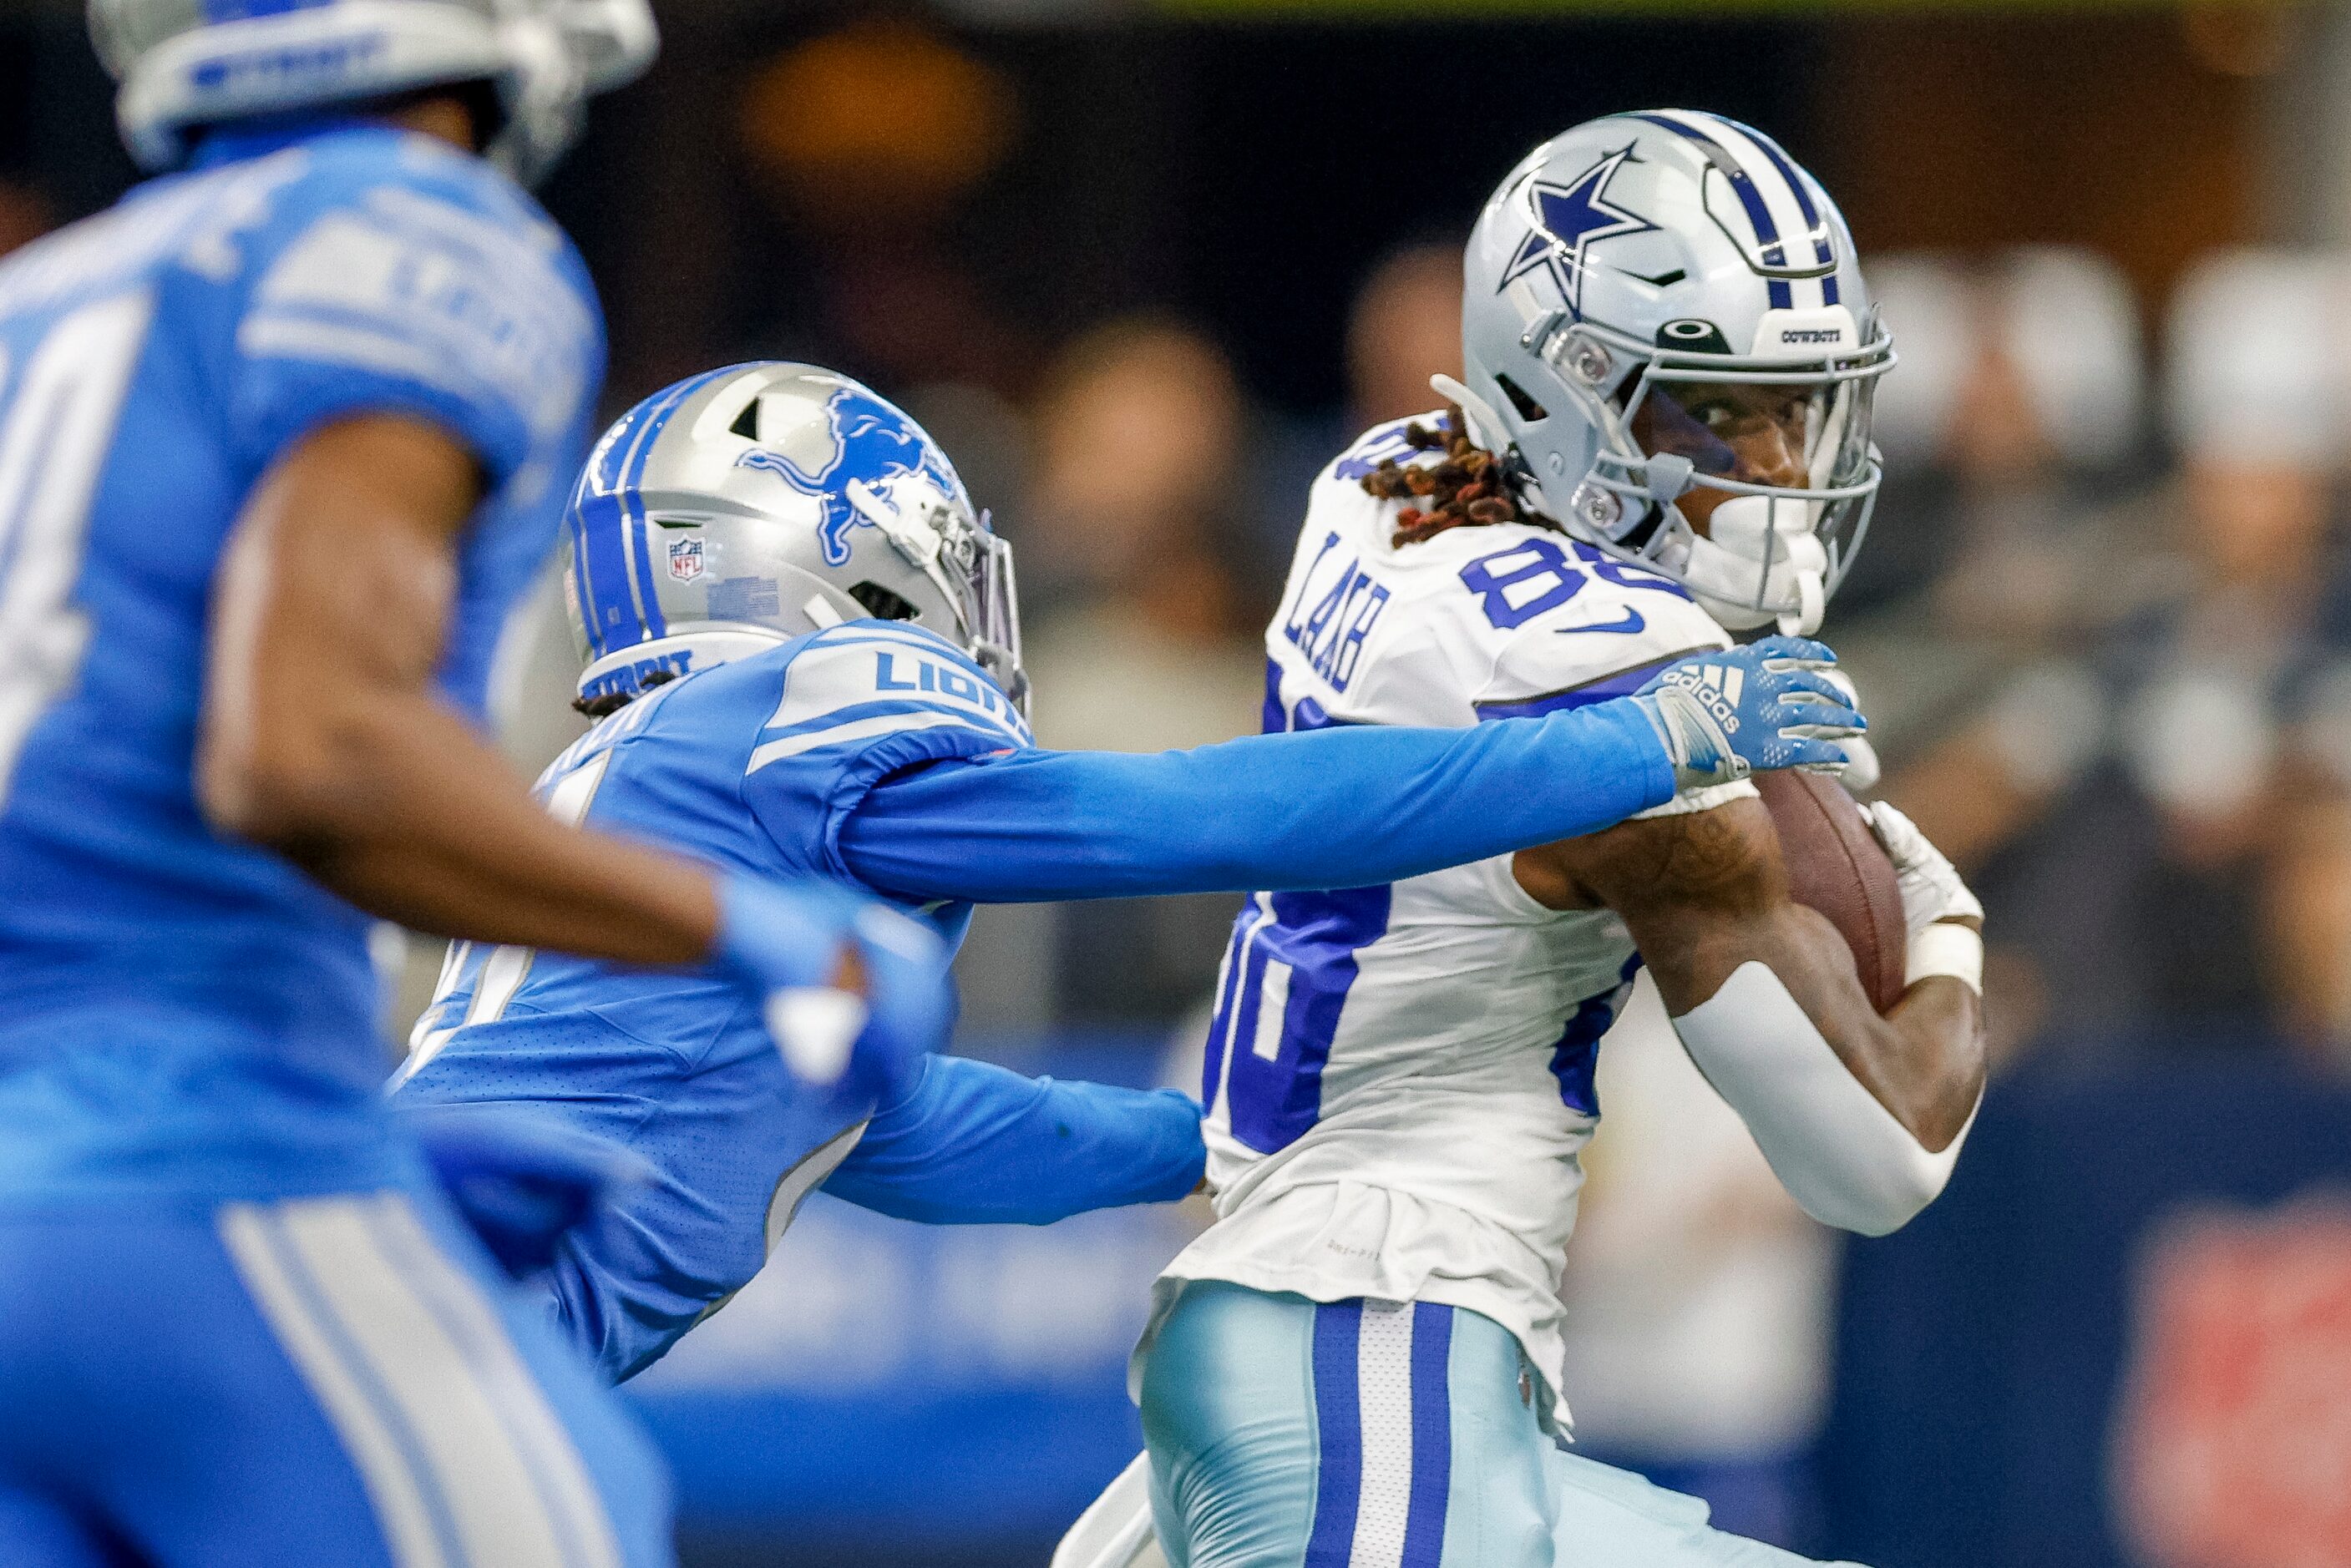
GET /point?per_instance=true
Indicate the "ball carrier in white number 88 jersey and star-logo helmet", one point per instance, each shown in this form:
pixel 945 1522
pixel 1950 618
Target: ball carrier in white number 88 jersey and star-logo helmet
pixel 1663 434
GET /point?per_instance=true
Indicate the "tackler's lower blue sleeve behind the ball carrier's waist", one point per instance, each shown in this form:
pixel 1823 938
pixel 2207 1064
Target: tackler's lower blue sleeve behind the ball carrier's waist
pixel 982 1146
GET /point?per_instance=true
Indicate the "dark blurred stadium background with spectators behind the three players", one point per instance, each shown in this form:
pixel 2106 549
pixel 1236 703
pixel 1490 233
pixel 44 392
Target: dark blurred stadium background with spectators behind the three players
pixel 1144 272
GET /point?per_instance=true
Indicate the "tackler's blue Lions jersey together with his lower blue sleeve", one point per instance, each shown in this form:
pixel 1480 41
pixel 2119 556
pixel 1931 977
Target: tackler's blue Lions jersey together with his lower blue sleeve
pixel 758 765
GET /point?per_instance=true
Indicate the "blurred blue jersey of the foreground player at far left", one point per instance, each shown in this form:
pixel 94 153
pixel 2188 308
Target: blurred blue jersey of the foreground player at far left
pixel 187 1010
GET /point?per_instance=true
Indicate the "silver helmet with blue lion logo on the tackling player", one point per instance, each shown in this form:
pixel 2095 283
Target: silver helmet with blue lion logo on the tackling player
pixel 765 502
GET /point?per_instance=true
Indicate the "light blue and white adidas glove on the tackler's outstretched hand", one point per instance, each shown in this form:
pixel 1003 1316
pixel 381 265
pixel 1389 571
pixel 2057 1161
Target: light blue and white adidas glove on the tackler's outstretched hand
pixel 1750 711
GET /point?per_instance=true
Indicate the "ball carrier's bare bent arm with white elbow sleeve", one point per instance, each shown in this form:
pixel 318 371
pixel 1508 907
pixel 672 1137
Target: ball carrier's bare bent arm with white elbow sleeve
pixel 1861 1115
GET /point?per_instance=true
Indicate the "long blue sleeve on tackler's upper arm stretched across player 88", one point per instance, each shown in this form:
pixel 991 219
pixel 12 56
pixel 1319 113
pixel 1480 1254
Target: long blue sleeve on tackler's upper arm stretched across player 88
pixel 1320 810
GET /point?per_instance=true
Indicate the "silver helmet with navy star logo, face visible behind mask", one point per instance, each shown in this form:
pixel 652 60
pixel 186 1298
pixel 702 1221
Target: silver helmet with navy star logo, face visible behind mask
pixel 1668 342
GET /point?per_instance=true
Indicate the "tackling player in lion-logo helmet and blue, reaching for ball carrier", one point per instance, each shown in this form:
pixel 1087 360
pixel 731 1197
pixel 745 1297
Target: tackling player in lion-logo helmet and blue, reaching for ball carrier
pixel 808 645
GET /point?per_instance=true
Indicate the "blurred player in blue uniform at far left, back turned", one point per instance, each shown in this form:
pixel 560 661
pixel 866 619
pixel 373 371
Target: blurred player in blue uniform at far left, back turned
pixel 281 441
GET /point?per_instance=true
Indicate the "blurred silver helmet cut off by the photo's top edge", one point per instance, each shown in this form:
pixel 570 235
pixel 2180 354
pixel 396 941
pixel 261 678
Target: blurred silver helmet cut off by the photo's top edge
pixel 187 65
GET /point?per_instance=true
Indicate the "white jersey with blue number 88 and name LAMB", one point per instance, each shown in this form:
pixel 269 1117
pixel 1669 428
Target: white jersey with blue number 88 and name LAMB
pixel 1400 1078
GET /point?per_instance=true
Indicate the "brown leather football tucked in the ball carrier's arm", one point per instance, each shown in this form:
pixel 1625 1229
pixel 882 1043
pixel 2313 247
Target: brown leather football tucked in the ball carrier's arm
pixel 1840 869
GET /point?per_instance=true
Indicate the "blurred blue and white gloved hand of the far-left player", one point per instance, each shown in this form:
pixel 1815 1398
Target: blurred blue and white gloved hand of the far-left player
pixel 852 991
